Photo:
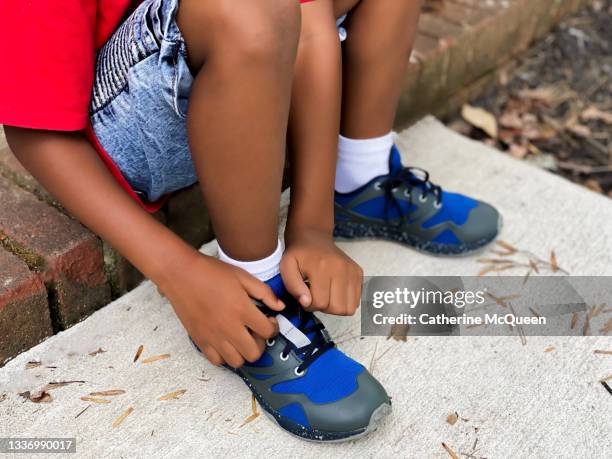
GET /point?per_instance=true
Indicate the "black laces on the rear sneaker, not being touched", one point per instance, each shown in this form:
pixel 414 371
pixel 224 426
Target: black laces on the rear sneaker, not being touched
pixel 410 178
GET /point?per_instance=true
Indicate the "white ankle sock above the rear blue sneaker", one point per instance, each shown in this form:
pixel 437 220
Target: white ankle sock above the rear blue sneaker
pixel 359 161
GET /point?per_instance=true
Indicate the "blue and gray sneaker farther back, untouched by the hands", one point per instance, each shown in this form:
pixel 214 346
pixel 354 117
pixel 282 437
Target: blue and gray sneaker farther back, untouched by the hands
pixel 406 207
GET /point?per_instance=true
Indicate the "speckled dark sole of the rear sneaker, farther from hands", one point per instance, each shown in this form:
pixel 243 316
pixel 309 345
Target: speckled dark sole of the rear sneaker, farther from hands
pixel 351 231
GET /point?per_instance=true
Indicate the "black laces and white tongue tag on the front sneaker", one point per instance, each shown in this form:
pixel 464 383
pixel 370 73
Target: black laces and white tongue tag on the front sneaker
pixel 313 340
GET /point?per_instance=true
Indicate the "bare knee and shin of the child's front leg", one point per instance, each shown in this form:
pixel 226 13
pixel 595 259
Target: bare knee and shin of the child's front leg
pixel 243 60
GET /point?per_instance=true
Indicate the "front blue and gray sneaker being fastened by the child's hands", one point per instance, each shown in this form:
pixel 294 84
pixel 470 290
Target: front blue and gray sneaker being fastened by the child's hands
pixel 309 387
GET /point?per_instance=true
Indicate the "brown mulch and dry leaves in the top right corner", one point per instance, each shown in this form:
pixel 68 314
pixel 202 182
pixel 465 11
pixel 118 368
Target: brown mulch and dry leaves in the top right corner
pixel 554 106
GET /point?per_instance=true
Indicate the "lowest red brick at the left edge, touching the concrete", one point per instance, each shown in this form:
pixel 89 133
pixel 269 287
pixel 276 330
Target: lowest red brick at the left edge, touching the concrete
pixel 24 311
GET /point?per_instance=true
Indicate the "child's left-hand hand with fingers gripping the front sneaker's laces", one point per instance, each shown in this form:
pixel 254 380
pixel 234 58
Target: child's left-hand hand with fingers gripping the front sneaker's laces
pixel 213 301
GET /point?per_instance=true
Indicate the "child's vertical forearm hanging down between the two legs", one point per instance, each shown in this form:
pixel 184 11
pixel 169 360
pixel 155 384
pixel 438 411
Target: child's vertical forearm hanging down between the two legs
pixel 315 120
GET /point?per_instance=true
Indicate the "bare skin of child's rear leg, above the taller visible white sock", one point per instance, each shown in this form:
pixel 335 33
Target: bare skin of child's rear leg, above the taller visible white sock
pixel 376 54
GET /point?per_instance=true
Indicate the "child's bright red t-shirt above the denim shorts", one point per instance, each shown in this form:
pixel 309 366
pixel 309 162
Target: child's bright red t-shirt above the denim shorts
pixel 47 61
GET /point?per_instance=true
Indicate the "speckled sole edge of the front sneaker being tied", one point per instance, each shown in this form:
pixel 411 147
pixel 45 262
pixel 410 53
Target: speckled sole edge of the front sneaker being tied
pixel 314 435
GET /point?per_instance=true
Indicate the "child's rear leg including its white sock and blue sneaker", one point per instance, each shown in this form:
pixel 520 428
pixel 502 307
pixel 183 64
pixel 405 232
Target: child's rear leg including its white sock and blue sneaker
pixel 369 167
